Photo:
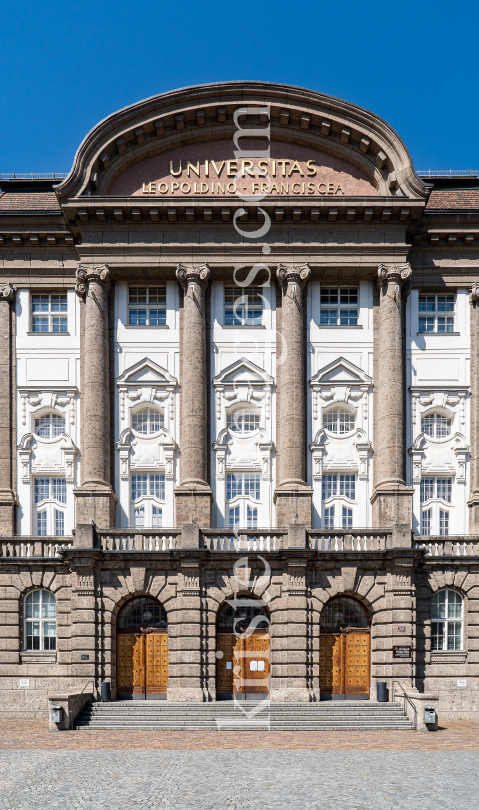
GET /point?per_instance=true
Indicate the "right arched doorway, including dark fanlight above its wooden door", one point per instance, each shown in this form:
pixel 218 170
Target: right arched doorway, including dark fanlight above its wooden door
pixel 344 650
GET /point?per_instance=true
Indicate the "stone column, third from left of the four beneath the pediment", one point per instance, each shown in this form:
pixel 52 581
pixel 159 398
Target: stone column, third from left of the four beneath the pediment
pixel 293 497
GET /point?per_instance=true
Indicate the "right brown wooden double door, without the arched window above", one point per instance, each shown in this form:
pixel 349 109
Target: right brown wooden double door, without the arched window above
pixel 344 664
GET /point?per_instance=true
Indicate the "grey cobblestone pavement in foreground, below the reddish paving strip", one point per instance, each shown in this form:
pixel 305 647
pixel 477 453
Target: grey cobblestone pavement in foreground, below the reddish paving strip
pixel 239 780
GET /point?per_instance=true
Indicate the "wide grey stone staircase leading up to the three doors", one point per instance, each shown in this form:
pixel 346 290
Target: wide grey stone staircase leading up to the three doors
pixel 150 715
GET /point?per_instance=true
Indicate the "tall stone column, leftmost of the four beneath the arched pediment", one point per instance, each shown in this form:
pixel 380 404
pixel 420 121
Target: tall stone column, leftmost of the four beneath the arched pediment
pixel 95 497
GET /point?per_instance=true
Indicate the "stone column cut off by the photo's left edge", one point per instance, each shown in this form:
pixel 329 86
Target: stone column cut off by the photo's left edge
pixel 8 500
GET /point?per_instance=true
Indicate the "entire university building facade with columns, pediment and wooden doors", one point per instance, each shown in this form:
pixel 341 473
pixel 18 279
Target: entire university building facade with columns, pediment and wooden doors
pixel 239 362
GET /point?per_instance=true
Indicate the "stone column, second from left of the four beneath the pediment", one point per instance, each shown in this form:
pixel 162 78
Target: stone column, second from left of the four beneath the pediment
pixel 193 495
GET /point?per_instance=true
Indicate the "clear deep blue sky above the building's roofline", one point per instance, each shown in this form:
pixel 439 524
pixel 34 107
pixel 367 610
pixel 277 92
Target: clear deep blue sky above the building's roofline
pixel 64 66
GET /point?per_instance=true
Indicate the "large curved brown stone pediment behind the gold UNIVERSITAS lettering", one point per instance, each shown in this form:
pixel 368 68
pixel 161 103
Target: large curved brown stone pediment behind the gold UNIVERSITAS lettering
pixel 342 138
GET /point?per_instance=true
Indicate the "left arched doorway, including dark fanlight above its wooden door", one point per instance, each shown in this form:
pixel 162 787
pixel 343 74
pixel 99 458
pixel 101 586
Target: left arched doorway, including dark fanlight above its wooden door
pixel 142 650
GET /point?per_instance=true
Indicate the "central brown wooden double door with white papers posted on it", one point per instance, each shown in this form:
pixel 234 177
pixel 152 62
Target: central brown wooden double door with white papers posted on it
pixel 243 664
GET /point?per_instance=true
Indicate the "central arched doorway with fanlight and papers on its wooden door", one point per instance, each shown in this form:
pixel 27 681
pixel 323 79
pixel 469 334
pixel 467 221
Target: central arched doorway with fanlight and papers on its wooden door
pixel 242 651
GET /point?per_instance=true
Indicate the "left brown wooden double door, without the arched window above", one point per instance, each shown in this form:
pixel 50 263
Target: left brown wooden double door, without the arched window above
pixel 142 664
